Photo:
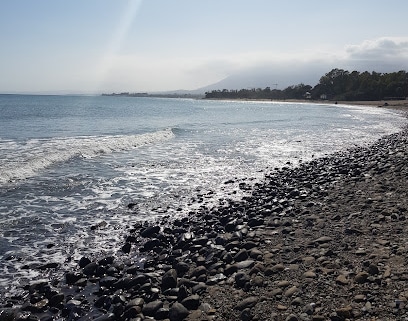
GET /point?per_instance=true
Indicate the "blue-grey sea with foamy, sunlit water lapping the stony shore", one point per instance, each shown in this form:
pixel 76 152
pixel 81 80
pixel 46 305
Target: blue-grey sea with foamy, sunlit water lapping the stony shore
pixel 77 171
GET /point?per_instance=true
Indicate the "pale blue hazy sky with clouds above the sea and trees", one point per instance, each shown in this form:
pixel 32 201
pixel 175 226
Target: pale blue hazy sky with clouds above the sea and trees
pixel 93 46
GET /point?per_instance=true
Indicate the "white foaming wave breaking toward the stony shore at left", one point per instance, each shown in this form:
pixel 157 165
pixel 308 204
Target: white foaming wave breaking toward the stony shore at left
pixel 25 159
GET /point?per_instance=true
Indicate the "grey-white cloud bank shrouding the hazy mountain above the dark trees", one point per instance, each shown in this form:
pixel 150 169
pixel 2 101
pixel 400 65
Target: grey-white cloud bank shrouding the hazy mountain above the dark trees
pixel 386 54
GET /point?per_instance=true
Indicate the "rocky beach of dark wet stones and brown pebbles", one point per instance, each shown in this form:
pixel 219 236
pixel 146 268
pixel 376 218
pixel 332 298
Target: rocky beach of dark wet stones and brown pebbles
pixel 322 240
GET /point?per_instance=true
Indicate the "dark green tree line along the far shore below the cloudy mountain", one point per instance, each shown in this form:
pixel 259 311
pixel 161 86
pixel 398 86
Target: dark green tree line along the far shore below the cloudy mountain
pixel 338 84
